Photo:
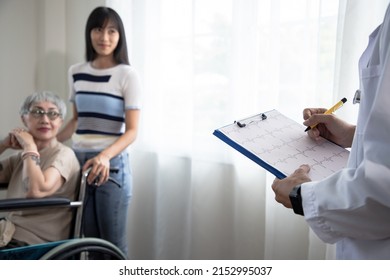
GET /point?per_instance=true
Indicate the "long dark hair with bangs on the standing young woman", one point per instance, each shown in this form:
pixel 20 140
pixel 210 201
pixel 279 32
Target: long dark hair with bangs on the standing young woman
pixel 99 17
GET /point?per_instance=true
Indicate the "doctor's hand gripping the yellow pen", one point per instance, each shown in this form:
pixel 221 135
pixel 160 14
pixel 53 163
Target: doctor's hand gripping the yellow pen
pixel 328 126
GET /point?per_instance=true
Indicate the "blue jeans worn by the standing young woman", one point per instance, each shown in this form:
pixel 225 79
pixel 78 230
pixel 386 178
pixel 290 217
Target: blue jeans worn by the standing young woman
pixel 106 206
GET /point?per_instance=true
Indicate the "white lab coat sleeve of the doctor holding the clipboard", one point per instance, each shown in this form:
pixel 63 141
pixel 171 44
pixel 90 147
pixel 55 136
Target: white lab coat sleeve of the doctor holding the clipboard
pixel 355 202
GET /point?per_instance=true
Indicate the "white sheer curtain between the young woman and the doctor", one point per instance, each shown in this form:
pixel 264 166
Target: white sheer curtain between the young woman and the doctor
pixel 205 63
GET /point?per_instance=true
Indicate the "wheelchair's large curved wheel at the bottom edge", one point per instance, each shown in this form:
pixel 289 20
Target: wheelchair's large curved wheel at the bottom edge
pixel 85 248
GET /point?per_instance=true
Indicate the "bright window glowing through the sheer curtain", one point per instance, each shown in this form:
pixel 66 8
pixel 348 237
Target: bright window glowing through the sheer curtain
pixel 206 63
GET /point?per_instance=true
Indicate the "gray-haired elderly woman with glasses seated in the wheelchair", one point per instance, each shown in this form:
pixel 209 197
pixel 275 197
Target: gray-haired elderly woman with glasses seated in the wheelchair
pixel 43 167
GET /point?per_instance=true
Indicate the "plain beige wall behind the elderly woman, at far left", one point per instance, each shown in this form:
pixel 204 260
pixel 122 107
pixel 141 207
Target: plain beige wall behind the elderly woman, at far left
pixel 18 20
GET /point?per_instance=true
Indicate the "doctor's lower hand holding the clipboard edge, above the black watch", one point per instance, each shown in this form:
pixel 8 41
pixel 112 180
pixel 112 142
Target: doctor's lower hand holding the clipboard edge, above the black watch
pixel 283 187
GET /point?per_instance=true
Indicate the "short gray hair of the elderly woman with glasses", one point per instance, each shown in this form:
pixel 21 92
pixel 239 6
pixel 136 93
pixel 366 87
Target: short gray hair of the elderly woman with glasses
pixel 43 96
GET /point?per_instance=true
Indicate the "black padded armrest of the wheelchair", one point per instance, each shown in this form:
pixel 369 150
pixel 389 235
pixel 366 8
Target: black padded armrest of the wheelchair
pixel 28 203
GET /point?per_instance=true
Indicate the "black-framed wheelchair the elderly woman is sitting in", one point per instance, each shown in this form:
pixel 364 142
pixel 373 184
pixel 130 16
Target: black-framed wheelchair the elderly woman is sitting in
pixel 74 248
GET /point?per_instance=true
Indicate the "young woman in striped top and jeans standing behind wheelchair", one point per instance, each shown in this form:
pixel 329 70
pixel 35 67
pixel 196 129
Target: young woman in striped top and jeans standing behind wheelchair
pixel 105 91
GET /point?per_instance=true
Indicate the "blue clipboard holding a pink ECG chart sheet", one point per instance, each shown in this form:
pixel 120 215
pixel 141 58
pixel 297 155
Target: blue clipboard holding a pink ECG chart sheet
pixel 280 145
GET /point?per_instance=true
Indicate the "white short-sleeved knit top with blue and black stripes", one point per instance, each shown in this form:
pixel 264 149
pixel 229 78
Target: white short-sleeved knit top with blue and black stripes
pixel 102 96
